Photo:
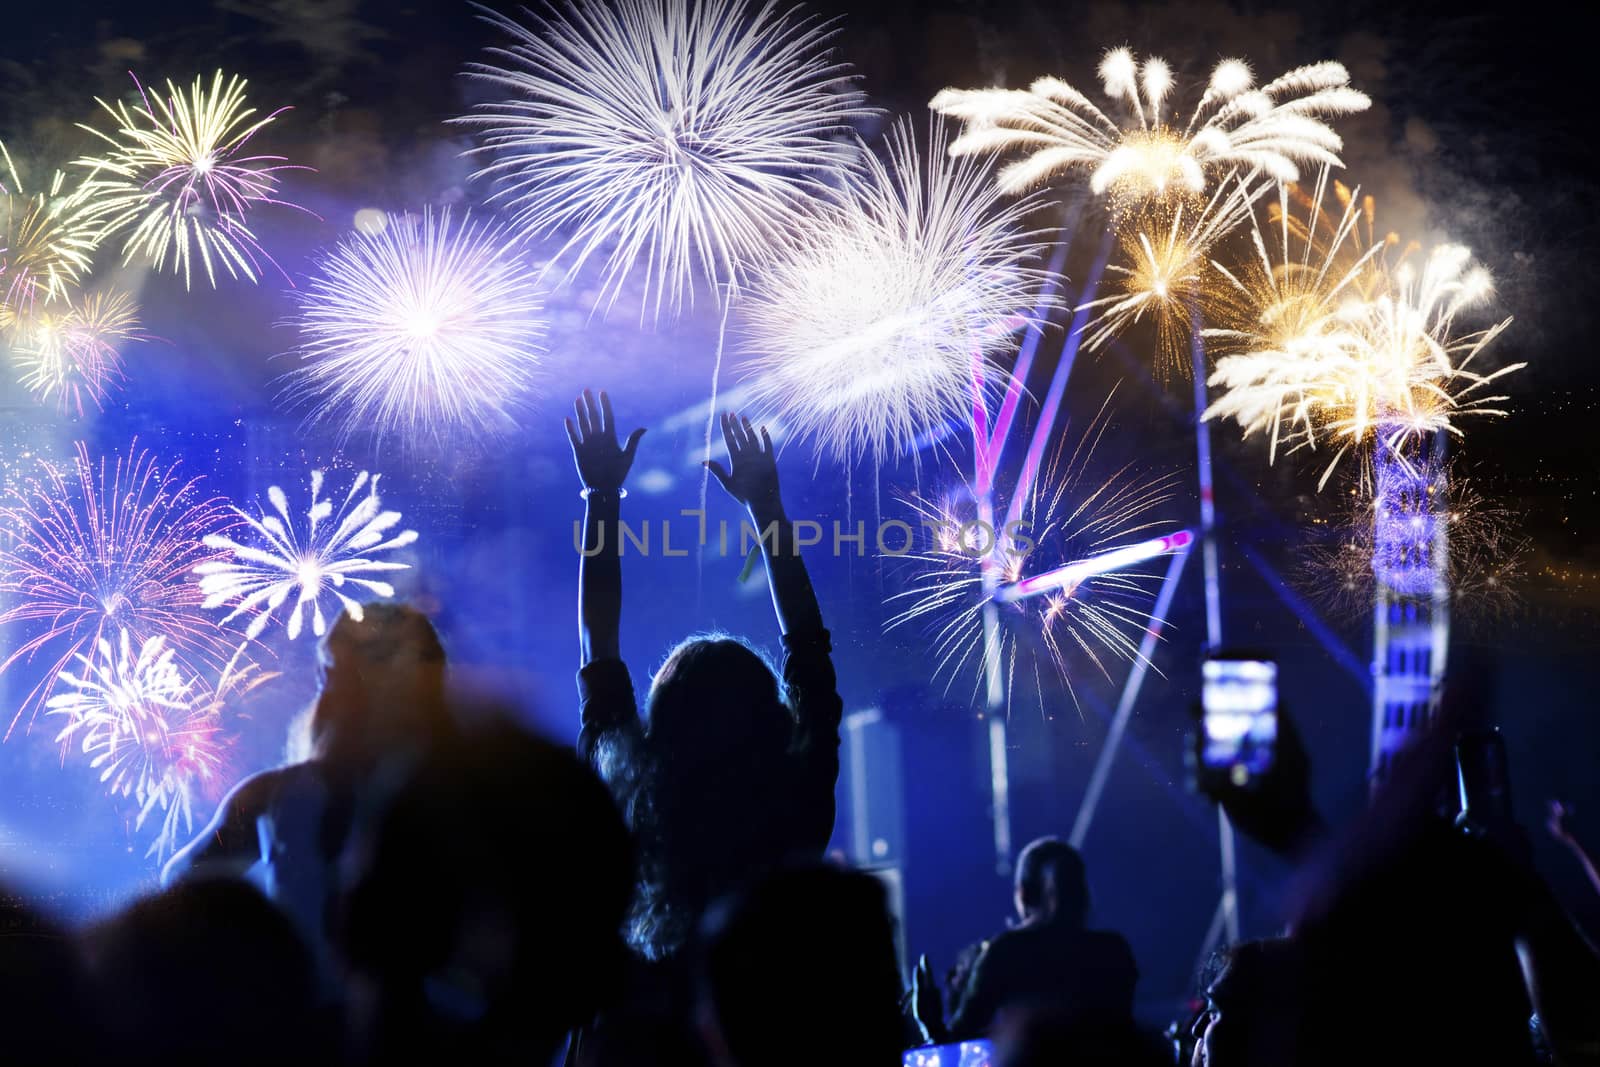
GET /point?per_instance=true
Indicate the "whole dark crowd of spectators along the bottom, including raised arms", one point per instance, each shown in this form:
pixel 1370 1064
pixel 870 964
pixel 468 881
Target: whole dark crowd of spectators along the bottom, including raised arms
pixel 436 885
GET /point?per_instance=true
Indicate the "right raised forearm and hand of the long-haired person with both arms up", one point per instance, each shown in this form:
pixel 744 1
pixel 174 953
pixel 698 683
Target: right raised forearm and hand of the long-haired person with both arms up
pixel 751 479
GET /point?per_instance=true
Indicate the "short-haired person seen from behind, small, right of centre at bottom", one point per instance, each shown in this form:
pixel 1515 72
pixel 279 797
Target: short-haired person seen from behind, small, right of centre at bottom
pixel 1049 959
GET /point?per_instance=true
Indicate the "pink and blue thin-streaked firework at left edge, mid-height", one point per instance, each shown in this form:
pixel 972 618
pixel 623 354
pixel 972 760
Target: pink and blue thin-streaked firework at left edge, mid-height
pixel 100 549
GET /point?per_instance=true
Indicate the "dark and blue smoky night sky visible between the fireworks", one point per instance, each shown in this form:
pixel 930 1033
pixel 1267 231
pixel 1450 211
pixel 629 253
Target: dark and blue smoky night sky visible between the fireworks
pixel 1482 132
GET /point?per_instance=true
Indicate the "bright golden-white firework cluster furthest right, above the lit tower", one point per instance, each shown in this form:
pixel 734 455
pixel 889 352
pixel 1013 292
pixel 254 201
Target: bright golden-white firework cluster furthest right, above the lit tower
pixel 1388 362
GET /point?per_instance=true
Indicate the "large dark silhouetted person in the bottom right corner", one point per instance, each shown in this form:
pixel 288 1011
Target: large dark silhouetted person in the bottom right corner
pixel 1420 938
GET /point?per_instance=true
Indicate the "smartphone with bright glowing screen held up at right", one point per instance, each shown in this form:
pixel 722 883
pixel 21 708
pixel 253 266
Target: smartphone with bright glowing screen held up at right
pixel 1239 719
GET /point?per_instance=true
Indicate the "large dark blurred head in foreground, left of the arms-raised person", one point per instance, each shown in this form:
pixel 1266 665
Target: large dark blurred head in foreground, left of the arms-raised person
pixel 486 905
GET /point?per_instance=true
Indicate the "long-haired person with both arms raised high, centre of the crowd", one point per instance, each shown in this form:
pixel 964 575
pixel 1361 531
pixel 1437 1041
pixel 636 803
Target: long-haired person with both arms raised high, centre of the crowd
pixel 734 770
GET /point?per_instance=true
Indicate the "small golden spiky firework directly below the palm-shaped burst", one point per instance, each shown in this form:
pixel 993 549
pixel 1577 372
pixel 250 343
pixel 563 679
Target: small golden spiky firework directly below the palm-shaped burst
pixel 1167 276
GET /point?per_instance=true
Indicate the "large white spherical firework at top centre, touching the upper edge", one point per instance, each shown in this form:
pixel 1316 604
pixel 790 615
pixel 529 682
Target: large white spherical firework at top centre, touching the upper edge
pixel 682 137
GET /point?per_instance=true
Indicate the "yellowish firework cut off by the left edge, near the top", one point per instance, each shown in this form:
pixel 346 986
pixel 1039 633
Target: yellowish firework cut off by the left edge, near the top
pixel 46 244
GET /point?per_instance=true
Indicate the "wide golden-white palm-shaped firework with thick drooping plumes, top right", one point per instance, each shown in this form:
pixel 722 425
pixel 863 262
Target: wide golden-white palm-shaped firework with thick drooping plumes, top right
pixel 1234 126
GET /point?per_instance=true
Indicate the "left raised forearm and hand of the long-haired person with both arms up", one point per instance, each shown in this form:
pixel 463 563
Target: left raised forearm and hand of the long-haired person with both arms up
pixel 602 468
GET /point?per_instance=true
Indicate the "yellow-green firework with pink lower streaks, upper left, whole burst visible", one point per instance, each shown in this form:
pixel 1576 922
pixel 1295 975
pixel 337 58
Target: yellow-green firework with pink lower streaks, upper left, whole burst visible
pixel 175 172
